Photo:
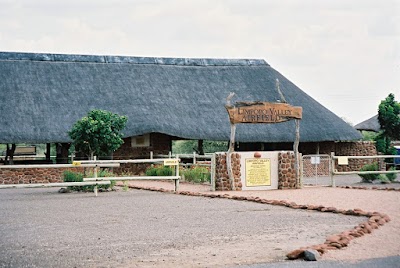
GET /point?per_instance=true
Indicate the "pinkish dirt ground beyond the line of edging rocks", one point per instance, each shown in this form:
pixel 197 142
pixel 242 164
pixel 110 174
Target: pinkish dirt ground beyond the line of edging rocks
pixel 383 242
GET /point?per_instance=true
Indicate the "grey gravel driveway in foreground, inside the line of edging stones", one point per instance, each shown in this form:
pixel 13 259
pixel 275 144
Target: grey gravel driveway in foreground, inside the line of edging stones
pixel 43 228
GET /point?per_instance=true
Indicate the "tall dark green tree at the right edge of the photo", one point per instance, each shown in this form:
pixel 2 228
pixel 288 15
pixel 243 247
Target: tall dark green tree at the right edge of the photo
pixel 389 119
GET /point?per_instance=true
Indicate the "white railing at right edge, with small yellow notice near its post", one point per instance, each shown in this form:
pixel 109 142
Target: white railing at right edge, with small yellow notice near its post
pixel 345 159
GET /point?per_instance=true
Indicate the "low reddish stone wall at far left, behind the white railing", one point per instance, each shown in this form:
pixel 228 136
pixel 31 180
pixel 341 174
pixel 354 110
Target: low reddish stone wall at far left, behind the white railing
pixel 33 175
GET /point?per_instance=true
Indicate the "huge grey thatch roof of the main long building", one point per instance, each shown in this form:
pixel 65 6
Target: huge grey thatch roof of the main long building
pixel 42 95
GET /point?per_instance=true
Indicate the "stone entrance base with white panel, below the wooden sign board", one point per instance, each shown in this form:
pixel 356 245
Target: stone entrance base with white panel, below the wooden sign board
pixel 280 165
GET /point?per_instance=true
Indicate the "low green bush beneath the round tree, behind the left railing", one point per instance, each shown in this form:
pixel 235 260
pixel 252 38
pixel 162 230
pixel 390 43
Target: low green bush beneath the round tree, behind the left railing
pixel 70 176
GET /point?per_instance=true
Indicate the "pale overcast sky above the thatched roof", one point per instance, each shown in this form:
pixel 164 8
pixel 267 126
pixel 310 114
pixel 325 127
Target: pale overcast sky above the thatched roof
pixel 343 53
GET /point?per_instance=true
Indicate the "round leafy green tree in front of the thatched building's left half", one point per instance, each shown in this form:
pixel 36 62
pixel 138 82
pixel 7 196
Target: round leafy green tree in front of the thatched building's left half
pixel 98 133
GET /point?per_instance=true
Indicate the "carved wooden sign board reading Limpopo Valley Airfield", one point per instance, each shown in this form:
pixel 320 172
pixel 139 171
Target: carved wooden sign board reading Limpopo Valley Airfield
pixel 262 112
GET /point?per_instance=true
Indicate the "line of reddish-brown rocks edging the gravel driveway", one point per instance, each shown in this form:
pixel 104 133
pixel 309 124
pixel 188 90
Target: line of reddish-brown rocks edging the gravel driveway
pixel 333 242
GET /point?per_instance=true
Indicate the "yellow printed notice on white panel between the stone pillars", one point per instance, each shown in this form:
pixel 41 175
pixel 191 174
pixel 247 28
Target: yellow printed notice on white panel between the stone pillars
pixel 258 172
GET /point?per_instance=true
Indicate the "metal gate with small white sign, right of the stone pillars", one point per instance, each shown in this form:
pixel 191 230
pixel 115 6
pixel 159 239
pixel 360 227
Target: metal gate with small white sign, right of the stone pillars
pixel 316 169
